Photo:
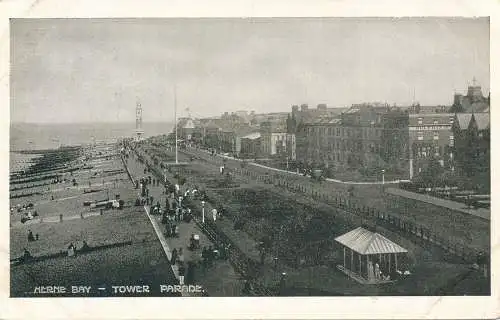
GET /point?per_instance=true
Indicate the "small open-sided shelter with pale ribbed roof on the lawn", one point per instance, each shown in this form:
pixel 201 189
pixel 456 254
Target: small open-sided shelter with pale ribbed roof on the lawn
pixel 369 257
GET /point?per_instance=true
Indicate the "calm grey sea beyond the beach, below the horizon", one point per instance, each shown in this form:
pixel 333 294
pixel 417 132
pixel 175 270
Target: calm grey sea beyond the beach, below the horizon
pixel 27 136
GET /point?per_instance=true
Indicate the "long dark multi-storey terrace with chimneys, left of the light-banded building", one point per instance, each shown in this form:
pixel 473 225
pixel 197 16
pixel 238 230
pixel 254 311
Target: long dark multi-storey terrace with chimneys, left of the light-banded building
pixel 363 136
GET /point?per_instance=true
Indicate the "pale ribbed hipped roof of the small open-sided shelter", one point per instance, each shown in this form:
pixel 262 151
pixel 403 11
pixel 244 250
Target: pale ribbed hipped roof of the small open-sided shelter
pixel 366 242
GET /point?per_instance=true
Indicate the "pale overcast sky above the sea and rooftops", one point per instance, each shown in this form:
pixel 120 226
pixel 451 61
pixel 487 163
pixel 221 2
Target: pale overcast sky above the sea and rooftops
pixel 95 70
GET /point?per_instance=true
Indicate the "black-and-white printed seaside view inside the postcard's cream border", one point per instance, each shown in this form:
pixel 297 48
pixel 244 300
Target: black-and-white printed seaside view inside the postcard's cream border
pixel 305 158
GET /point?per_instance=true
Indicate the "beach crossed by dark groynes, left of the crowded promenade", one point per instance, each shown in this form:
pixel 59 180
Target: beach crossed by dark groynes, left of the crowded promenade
pixel 124 245
